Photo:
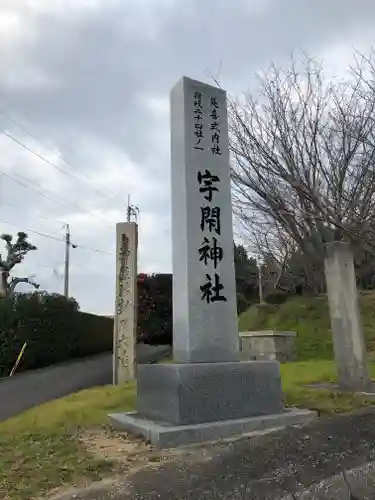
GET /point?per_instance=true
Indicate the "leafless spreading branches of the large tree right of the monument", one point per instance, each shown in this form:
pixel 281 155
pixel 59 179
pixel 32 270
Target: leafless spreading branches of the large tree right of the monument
pixel 303 161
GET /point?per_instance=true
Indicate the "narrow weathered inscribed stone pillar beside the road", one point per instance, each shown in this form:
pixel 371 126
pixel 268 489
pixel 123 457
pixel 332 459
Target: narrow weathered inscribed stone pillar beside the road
pixel 125 322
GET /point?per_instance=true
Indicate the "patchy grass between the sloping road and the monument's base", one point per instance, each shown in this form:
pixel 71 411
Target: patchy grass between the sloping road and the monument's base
pixel 39 449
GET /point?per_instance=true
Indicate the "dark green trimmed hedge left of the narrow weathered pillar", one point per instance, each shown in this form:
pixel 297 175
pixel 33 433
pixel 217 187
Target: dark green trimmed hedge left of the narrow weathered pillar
pixel 53 328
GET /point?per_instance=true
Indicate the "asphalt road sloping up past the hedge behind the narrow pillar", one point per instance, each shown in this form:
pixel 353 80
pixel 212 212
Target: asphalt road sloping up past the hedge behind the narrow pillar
pixel 21 392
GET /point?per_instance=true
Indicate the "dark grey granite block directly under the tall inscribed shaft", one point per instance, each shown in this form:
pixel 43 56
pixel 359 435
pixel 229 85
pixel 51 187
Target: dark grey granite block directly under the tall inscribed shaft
pixel 203 392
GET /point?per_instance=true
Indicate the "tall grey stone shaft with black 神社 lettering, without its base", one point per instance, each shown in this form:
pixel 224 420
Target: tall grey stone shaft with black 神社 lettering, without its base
pixel 204 290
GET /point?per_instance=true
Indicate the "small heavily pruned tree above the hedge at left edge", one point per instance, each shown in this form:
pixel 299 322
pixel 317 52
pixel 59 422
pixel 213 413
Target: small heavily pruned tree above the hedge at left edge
pixel 15 254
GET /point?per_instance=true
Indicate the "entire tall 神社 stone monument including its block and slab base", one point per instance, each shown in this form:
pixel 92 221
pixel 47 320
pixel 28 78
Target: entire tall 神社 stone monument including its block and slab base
pixel 207 393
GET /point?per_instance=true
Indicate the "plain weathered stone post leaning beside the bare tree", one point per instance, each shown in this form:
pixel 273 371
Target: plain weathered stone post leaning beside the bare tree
pixel 348 339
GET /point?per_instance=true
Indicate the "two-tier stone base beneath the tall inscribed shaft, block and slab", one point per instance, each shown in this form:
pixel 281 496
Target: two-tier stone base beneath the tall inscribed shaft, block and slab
pixel 179 404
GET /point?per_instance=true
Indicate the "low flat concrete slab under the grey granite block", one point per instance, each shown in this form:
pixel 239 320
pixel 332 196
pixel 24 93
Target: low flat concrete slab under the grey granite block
pixel 166 435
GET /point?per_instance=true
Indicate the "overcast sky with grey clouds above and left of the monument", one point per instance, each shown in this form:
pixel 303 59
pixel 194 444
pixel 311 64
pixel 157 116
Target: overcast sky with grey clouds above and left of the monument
pixel 85 84
